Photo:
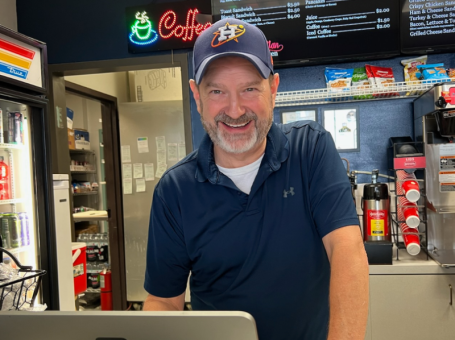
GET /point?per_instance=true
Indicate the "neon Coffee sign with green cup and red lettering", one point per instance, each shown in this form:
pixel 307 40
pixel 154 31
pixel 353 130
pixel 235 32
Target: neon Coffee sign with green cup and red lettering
pixel 166 26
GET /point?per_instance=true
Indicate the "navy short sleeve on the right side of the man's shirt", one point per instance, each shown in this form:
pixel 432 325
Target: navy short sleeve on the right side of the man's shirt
pixel 332 205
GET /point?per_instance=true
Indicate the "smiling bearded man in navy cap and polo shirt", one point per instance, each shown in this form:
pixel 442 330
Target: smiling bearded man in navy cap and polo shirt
pixel 261 214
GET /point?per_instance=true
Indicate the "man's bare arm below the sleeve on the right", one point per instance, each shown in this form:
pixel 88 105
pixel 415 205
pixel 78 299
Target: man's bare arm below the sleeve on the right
pixel 348 284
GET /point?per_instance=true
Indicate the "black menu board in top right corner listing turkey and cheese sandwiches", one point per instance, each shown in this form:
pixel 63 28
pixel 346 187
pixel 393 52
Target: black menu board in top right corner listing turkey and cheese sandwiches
pixel 427 25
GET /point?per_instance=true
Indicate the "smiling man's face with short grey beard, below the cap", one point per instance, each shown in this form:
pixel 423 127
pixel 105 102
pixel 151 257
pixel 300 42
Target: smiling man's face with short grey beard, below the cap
pixel 235 103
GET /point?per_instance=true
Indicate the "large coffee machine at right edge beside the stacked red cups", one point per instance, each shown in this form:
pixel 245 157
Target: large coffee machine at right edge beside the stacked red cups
pixel 434 124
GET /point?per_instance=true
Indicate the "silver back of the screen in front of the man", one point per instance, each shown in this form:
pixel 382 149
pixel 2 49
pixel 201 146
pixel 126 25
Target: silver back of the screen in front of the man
pixel 187 325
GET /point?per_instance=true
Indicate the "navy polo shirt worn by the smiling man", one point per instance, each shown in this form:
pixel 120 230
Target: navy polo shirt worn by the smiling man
pixel 261 253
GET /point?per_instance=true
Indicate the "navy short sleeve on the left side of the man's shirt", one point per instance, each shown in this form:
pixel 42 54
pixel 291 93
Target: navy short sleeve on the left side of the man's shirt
pixel 168 264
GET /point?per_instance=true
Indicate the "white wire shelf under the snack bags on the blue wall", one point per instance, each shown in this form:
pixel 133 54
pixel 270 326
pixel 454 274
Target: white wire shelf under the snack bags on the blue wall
pixel 366 93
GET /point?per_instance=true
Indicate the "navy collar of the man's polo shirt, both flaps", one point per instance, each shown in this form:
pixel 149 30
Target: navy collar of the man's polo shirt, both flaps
pixel 276 152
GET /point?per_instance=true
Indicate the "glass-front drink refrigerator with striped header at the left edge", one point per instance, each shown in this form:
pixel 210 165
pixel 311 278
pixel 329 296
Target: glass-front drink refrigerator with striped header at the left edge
pixel 26 200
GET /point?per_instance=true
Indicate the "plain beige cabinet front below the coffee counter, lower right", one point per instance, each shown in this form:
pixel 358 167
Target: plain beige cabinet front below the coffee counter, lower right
pixel 411 307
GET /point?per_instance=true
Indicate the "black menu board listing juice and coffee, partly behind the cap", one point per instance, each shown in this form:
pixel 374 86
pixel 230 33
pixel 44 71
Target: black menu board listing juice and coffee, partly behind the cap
pixel 320 30
